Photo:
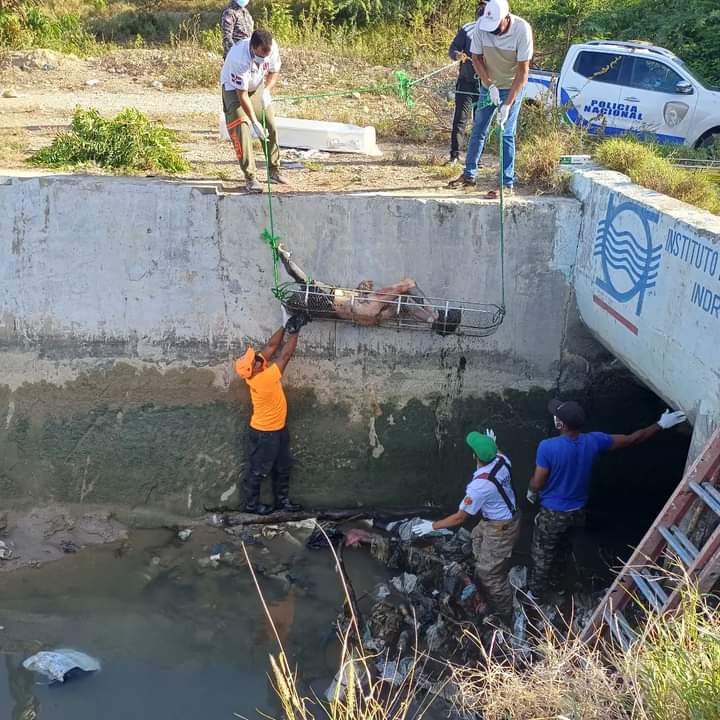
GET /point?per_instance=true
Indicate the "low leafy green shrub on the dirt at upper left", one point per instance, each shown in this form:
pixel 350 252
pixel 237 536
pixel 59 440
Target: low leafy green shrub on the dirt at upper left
pixel 128 141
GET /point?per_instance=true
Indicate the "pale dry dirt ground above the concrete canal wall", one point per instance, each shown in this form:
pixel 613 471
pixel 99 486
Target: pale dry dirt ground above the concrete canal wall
pixel 39 90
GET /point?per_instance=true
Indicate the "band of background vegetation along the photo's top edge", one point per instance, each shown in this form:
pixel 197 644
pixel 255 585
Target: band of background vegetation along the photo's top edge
pixel 557 24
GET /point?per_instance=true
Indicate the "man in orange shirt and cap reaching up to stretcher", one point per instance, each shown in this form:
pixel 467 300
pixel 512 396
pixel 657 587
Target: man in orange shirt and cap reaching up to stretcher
pixel 268 434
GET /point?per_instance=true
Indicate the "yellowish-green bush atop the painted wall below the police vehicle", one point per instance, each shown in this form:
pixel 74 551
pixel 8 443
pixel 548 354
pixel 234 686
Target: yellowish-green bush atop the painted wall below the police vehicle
pixel 645 166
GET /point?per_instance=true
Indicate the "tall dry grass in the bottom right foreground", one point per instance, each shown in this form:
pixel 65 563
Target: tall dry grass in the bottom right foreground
pixel 671 672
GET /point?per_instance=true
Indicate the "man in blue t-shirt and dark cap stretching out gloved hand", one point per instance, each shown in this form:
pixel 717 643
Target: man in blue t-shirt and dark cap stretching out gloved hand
pixel 563 467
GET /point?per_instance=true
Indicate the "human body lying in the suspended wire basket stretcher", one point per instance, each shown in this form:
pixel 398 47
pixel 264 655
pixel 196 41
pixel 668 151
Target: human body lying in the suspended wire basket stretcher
pixel 365 305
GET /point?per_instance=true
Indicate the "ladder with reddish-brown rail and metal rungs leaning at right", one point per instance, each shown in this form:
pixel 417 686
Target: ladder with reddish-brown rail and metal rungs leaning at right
pixel 641 577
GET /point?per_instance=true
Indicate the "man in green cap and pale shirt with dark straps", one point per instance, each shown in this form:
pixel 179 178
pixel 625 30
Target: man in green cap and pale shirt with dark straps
pixel 490 496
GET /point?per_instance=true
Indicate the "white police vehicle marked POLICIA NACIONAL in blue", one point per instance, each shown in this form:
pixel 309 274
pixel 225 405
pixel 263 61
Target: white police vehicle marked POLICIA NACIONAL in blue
pixel 631 87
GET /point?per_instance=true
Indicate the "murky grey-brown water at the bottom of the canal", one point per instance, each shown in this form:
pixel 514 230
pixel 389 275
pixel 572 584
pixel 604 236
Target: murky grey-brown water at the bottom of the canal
pixel 176 641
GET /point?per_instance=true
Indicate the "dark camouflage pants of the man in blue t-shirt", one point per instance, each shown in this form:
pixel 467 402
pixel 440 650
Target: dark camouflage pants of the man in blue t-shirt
pixel 551 547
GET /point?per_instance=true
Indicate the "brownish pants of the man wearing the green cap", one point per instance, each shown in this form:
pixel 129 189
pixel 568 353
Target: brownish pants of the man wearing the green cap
pixel 493 542
